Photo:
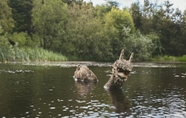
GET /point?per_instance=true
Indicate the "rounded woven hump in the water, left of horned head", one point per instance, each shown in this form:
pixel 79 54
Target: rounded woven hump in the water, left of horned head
pixel 84 74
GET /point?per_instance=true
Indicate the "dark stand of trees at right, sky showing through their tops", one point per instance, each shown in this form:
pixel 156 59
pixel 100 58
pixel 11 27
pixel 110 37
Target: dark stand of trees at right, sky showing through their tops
pixel 166 22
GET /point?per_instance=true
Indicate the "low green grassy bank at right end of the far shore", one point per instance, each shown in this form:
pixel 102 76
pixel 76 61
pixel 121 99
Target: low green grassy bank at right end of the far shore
pixel 170 58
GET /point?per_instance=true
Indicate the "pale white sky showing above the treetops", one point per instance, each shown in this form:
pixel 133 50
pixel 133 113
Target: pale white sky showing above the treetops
pixel 181 4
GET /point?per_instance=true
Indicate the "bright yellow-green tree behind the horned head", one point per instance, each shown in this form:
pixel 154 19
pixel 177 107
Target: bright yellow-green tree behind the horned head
pixel 117 23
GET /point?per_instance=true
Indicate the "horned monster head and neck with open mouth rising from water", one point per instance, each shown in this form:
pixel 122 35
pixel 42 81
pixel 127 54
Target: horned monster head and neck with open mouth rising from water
pixel 120 71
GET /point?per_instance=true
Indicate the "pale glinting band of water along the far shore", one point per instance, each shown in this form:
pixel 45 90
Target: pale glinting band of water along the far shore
pixel 67 64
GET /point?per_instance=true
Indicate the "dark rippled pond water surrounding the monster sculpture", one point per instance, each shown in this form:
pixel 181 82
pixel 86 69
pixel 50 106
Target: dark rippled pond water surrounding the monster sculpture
pixel 48 90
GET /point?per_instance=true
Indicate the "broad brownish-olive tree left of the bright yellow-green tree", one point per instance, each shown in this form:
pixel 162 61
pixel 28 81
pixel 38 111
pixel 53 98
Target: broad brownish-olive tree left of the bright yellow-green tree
pixel 84 38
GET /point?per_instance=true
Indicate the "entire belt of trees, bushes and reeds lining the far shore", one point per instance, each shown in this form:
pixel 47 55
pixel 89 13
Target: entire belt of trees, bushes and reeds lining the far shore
pixel 32 30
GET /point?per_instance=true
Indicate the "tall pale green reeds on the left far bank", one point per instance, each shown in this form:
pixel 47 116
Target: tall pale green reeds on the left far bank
pixel 29 54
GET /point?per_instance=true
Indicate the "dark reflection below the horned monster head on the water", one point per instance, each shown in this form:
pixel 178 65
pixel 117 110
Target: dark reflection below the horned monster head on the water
pixel 121 103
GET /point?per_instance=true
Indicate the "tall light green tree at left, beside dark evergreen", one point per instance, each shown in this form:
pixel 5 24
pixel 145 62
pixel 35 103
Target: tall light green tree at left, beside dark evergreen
pixel 49 18
